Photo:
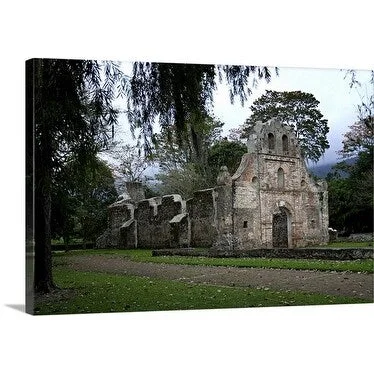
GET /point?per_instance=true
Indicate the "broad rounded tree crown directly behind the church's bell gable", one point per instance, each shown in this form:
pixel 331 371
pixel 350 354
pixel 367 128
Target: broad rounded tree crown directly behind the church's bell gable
pixel 298 110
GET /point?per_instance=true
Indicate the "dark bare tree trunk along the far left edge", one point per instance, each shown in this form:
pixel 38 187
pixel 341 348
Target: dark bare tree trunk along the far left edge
pixel 41 171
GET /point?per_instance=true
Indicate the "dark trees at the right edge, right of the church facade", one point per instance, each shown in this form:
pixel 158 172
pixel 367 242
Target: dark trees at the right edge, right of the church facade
pixel 351 185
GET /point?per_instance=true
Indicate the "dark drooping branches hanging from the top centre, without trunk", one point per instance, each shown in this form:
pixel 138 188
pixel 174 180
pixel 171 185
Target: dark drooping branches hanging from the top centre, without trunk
pixel 174 93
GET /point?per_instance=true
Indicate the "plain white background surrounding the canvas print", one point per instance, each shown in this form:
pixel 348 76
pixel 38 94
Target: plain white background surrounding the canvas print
pixel 293 340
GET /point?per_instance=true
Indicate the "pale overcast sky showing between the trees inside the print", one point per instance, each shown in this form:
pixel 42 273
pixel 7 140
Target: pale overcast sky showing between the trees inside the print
pixel 338 102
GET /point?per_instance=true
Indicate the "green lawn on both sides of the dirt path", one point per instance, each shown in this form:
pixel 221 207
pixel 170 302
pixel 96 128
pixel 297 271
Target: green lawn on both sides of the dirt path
pixel 95 292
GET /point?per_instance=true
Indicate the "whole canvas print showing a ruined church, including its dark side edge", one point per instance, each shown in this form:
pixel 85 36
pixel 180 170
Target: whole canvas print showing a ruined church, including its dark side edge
pixel 177 186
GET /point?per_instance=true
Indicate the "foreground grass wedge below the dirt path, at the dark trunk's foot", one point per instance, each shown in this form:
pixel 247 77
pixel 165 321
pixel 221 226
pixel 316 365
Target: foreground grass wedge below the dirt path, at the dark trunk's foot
pixel 94 292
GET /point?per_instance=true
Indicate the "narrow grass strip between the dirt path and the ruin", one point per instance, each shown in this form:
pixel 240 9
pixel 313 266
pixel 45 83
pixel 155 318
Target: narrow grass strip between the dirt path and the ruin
pixel 142 255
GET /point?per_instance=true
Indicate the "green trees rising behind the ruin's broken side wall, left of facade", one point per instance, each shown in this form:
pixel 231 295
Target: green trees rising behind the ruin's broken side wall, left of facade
pixel 183 170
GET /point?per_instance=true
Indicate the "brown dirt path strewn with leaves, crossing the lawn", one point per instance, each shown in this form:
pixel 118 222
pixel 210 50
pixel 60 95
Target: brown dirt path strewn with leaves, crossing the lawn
pixel 332 283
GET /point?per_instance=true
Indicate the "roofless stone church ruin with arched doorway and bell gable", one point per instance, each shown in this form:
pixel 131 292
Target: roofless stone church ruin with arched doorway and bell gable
pixel 270 202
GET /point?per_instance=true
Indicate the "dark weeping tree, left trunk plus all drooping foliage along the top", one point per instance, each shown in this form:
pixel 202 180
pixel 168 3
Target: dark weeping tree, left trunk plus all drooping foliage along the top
pixel 69 111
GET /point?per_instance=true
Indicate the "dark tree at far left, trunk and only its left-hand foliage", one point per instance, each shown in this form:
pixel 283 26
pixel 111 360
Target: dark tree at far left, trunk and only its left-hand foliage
pixel 69 113
